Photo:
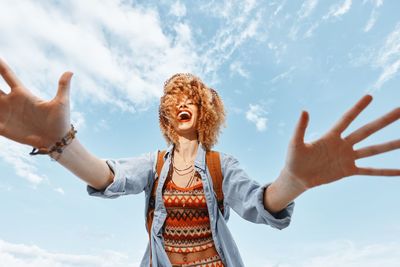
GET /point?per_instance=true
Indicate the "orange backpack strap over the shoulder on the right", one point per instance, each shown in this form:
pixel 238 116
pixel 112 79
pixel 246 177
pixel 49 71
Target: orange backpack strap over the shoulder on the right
pixel 214 165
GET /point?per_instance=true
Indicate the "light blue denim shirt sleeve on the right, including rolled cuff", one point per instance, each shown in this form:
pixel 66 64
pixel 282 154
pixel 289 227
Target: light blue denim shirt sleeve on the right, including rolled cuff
pixel 246 196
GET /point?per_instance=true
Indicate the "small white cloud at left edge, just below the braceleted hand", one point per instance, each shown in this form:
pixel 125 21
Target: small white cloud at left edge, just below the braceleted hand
pixel 18 157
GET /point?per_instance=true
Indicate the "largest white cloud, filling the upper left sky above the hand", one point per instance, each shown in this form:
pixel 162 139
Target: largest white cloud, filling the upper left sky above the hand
pixel 115 59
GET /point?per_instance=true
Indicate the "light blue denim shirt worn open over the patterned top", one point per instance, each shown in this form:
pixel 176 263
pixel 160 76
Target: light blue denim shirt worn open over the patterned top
pixel 242 194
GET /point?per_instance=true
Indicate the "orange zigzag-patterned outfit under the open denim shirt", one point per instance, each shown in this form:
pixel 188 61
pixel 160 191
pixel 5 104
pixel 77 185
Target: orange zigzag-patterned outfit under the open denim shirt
pixel 187 226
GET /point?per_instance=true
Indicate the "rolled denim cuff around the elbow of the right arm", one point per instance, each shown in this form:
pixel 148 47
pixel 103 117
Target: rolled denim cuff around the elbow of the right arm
pixel 277 220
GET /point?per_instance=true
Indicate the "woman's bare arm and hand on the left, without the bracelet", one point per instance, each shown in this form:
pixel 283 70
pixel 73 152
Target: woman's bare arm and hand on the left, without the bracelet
pixel 26 119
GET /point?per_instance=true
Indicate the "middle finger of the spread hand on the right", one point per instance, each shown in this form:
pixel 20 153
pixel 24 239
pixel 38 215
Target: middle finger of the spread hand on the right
pixel 373 126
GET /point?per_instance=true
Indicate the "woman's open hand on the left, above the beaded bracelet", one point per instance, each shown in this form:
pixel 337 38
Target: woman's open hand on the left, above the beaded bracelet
pixel 29 120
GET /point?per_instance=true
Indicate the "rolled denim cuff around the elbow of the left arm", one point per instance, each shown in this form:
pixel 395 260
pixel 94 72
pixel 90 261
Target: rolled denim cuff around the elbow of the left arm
pixel 115 189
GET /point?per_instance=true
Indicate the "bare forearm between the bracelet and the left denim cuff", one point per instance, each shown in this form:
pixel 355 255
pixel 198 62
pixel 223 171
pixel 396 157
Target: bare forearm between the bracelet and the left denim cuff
pixel 86 166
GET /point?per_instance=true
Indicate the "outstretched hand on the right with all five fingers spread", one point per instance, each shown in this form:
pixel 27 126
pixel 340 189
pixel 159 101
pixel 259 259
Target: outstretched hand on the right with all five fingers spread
pixel 332 157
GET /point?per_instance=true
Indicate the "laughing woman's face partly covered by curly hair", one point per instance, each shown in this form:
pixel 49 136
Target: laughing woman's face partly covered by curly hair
pixel 186 117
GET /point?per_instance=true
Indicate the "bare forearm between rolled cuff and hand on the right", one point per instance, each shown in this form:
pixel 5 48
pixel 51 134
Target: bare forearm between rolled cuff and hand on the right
pixel 281 192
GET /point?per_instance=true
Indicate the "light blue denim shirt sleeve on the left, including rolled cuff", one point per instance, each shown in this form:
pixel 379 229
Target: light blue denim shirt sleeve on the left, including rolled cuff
pixel 131 176
